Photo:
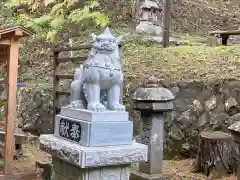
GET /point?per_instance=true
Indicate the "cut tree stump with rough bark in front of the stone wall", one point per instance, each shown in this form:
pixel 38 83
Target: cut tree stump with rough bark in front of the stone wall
pixel 218 154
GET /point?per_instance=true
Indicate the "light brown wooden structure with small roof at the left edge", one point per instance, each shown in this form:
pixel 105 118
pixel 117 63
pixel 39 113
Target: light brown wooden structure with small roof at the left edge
pixel 9 49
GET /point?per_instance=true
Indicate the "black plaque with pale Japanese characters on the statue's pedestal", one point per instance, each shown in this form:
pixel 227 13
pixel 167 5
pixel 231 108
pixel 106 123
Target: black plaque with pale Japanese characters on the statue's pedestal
pixel 70 129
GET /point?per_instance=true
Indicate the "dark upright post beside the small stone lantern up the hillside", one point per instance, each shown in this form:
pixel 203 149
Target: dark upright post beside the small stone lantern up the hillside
pixel 166 22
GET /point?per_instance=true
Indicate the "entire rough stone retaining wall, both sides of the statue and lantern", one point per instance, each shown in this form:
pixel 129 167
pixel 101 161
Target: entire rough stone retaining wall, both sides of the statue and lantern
pixel 198 106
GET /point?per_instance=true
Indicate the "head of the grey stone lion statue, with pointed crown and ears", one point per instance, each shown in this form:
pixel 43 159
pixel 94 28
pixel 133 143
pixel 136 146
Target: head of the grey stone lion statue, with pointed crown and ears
pixel 106 41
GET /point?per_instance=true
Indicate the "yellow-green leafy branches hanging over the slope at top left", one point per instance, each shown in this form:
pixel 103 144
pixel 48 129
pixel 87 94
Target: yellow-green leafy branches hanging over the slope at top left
pixel 54 16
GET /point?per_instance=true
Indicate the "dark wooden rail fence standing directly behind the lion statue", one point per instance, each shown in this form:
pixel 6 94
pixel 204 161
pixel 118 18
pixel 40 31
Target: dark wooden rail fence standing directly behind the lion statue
pixel 57 60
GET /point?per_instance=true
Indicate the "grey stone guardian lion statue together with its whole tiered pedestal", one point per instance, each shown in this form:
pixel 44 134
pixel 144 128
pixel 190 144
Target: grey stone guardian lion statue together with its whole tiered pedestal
pixel 92 139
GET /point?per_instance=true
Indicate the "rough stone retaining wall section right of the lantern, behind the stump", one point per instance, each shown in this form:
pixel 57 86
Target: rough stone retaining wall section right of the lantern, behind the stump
pixel 199 106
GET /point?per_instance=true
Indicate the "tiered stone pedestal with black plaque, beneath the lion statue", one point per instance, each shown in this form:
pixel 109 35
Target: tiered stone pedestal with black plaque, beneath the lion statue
pixel 92 146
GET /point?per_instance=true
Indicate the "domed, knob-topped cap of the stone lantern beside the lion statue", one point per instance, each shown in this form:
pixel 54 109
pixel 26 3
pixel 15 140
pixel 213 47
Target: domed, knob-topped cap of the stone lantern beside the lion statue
pixel 153 92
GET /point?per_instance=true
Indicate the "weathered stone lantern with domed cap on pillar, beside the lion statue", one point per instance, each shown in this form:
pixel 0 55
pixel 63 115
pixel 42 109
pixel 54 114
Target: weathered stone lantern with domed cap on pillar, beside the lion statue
pixel 152 101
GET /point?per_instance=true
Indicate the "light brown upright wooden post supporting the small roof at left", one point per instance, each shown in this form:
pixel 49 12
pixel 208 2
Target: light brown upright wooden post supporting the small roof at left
pixel 11 109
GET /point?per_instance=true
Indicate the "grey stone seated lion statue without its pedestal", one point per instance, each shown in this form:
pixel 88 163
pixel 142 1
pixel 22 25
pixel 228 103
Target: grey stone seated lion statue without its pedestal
pixel 97 83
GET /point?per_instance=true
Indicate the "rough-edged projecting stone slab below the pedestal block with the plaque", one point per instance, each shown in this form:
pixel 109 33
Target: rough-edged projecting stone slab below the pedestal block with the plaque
pixel 92 156
